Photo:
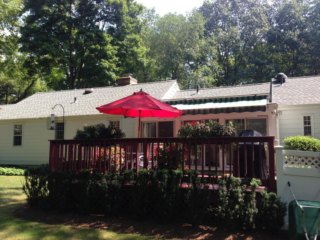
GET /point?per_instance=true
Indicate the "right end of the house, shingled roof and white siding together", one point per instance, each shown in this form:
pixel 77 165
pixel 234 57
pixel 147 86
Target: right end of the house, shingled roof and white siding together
pixel 298 112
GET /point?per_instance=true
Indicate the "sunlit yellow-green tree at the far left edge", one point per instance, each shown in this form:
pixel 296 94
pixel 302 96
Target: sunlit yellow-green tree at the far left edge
pixel 15 82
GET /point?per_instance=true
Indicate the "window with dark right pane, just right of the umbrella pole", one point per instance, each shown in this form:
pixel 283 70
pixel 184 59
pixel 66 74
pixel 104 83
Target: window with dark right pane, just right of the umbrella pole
pixel 157 129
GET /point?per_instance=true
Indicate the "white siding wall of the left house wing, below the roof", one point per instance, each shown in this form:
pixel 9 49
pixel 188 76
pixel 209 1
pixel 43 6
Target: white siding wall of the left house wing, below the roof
pixel 36 136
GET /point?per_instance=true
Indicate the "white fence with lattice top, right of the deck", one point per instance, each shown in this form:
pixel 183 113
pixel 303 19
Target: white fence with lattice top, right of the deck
pixel 302 170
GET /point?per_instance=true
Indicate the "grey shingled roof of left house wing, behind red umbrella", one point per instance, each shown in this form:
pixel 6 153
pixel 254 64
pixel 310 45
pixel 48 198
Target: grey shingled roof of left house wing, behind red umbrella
pixel 40 104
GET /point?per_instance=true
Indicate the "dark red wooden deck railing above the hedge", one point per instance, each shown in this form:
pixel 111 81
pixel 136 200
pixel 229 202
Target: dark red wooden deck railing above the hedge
pixel 240 156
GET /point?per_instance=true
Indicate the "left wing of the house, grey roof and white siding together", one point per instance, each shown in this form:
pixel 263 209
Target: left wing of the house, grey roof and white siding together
pixel 25 127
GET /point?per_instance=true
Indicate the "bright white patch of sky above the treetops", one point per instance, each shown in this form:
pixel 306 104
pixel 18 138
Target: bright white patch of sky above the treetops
pixel 163 7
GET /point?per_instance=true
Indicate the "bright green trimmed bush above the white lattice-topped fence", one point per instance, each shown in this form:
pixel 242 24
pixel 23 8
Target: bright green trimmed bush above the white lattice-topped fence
pixel 302 143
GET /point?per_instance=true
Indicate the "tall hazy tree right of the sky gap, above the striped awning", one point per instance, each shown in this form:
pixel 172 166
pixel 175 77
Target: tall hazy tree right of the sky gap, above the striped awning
pixel 238 28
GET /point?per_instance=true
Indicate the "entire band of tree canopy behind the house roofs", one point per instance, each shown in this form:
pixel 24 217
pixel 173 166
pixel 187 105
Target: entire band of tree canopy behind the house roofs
pixel 67 44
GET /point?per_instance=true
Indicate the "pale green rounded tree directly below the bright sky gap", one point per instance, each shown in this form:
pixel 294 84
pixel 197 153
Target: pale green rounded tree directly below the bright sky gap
pixel 174 45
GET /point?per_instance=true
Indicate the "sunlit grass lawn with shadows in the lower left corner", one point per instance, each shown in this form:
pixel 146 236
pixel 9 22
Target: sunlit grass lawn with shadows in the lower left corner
pixel 12 198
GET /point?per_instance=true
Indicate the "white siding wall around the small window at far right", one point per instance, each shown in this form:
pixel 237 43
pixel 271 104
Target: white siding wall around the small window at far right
pixel 291 124
